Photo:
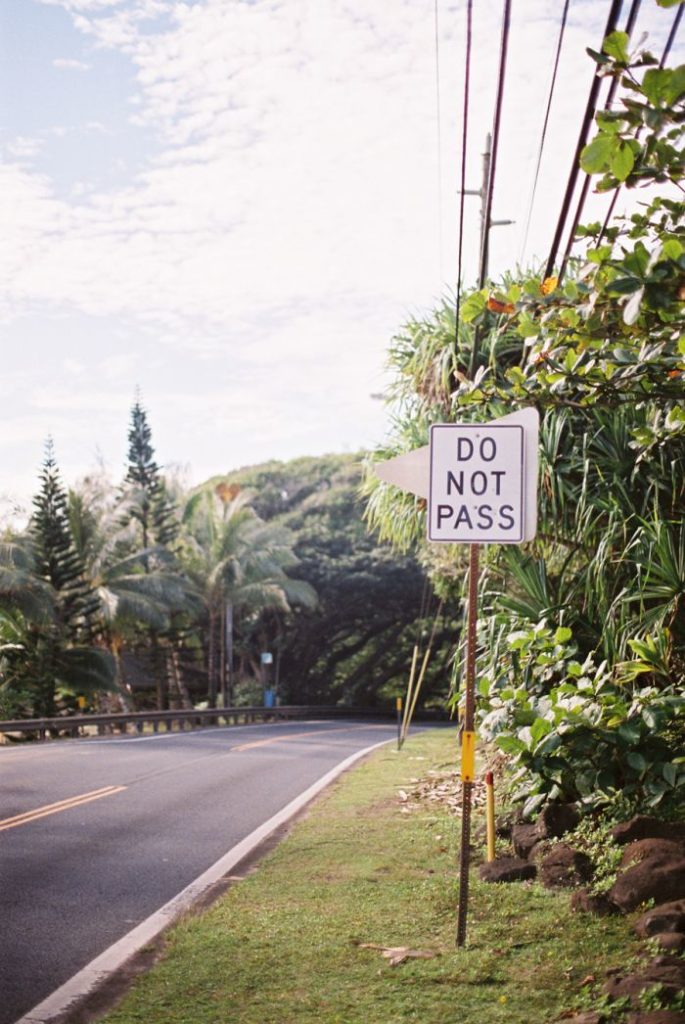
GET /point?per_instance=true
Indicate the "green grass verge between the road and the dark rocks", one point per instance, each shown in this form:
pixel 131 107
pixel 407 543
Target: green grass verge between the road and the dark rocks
pixel 284 946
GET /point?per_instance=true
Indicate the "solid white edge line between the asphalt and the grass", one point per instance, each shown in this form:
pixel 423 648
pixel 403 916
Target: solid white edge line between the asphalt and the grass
pixel 100 969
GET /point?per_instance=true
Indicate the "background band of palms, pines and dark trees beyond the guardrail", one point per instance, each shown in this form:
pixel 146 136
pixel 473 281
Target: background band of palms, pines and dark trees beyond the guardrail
pixel 161 596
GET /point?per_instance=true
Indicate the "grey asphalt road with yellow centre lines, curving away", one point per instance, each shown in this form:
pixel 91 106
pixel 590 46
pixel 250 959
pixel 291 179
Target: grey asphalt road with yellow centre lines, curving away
pixel 97 835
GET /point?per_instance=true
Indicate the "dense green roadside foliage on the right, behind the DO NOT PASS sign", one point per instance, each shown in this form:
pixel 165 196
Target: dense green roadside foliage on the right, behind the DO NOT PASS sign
pixel 582 632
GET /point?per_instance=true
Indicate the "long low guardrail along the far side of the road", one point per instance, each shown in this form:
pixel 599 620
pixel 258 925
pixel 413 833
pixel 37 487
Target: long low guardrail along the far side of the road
pixel 181 719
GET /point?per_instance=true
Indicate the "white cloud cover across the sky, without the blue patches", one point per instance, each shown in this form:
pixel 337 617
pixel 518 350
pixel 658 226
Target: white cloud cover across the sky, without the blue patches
pixel 290 220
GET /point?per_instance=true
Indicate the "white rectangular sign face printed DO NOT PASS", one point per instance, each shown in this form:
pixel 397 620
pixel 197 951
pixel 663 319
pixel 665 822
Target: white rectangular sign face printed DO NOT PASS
pixel 477 484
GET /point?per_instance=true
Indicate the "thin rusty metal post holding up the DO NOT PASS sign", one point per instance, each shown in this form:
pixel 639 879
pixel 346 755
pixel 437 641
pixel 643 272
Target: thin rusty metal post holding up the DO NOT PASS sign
pixel 469 716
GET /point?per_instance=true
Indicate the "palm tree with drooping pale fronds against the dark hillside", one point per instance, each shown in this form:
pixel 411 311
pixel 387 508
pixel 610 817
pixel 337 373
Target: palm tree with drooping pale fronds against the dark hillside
pixel 239 566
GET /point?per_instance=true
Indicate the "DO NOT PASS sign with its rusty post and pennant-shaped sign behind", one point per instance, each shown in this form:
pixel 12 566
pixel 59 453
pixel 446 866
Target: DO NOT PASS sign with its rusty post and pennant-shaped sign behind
pixel 482 484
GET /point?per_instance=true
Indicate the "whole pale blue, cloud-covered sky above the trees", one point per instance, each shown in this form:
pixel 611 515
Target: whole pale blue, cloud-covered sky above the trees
pixel 233 205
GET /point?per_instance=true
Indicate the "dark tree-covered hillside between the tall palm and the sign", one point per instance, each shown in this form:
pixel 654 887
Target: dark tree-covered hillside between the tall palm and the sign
pixel 357 646
